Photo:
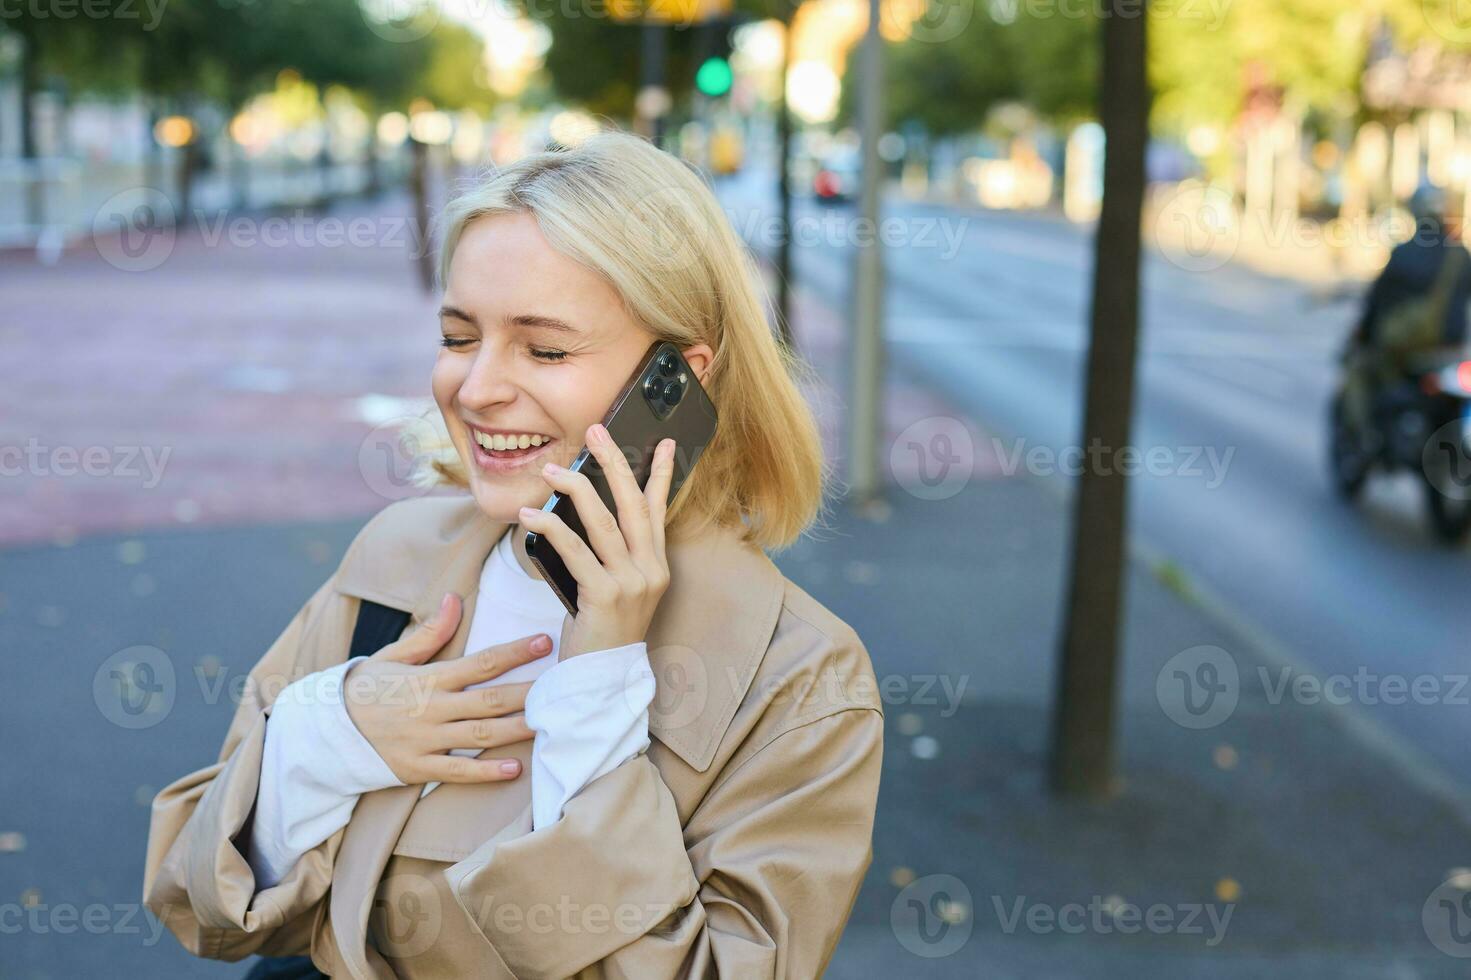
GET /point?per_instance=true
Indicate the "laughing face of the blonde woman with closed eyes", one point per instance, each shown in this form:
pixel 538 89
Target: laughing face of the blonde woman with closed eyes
pixel 535 347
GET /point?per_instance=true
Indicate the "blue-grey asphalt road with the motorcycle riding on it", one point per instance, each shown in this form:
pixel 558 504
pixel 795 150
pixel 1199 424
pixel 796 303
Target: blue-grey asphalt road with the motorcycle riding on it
pixel 1235 374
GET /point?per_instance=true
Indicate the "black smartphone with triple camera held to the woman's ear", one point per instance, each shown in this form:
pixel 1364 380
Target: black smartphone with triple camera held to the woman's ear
pixel 663 400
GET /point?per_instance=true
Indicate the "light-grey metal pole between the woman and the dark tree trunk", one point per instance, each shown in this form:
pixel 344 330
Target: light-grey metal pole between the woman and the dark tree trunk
pixel 867 410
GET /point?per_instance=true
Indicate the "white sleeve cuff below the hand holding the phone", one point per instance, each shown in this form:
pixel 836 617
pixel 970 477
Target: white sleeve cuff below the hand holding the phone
pixel 591 714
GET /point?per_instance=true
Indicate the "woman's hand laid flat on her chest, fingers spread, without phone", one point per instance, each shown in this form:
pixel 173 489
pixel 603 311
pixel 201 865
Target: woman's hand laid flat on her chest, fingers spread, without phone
pixel 414 713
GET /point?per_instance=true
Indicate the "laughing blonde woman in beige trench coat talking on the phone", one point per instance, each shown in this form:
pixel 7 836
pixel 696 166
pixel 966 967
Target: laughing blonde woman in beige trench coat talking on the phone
pixel 680 779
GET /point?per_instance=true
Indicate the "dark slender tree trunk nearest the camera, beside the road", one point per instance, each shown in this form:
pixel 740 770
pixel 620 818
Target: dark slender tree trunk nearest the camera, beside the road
pixel 1083 714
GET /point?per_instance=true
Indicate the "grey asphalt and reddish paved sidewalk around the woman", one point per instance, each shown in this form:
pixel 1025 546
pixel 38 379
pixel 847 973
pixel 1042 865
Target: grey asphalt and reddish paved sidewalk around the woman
pixel 1267 844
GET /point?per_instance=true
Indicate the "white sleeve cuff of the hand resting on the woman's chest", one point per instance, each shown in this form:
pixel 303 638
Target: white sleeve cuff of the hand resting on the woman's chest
pixel 314 769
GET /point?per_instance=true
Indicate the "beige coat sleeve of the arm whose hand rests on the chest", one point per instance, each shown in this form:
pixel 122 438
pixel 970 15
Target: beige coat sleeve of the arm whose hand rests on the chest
pixel 196 879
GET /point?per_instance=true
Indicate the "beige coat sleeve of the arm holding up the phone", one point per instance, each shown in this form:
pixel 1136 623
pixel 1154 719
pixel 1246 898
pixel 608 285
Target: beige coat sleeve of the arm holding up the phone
pixel 760 884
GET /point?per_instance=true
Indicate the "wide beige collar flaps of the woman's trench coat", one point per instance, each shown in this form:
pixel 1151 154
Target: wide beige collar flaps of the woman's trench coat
pixel 705 642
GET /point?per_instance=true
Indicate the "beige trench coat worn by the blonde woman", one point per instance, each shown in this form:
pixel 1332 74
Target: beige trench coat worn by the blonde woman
pixel 733 847
